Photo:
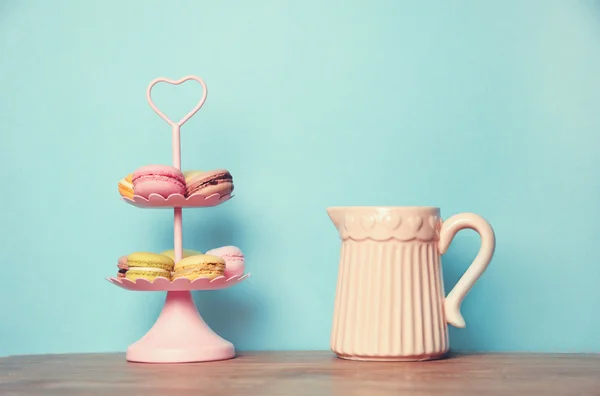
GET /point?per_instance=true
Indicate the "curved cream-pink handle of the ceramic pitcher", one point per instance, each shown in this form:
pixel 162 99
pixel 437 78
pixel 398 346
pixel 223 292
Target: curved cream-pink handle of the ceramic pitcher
pixel 488 244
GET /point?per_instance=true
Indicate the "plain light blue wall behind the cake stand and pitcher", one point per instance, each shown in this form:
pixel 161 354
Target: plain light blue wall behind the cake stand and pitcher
pixel 490 107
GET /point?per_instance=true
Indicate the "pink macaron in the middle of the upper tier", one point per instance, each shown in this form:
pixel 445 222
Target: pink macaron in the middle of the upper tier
pixel 158 179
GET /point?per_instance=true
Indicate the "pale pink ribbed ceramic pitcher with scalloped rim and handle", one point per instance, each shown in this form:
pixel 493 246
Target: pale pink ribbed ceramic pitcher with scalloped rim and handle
pixel 390 302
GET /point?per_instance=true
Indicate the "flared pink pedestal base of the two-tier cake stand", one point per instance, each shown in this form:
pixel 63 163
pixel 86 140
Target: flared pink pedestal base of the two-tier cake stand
pixel 180 335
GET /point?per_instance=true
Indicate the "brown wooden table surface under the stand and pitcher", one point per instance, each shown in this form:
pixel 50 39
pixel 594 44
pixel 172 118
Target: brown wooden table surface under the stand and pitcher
pixel 302 373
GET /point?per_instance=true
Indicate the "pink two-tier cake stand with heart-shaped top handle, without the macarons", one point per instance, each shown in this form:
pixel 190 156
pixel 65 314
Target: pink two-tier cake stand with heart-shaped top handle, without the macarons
pixel 179 334
